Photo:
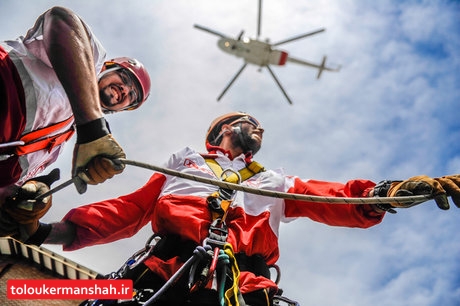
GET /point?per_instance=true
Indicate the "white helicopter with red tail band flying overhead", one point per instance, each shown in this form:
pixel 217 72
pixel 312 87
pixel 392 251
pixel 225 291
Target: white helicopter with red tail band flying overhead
pixel 262 53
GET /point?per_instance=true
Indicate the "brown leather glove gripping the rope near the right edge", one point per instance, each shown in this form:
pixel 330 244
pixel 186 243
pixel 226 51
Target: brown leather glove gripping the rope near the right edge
pixel 423 185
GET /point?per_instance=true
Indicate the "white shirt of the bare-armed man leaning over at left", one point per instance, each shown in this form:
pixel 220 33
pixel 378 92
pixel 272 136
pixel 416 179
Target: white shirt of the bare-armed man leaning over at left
pixel 45 98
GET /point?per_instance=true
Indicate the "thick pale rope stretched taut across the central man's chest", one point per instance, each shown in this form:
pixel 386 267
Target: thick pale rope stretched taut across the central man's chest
pixel 283 195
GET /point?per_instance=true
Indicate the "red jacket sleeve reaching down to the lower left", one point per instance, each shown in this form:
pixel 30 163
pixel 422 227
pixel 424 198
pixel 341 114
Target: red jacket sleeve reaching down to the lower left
pixel 114 219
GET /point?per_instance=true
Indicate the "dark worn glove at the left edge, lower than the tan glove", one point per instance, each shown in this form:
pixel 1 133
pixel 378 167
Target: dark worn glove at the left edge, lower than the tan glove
pixel 24 209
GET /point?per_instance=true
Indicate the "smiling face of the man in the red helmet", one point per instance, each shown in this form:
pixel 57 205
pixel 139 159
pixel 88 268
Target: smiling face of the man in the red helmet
pixel 117 90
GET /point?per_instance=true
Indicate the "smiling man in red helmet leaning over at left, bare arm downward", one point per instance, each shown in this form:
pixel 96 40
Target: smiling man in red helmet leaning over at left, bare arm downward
pixel 54 80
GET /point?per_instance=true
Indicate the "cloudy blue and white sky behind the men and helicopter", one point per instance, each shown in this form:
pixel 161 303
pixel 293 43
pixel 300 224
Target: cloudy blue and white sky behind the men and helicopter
pixel 390 113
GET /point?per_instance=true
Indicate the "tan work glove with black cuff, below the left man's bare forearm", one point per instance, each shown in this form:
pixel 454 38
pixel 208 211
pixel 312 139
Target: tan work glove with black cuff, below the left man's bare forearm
pixel 87 168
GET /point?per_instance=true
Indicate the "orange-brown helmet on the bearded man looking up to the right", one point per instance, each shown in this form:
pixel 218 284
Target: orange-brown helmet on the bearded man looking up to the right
pixel 213 134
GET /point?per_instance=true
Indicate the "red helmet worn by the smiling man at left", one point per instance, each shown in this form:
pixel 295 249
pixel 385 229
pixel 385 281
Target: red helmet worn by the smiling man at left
pixel 140 73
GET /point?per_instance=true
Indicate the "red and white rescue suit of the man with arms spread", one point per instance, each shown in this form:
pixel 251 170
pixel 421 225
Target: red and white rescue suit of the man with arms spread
pixel 178 206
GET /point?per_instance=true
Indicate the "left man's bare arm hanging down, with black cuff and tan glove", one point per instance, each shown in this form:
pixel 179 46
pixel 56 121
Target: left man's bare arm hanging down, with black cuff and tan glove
pixel 68 46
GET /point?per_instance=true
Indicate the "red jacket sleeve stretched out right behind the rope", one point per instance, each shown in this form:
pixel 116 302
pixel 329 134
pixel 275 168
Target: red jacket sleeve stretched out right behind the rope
pixel 349 215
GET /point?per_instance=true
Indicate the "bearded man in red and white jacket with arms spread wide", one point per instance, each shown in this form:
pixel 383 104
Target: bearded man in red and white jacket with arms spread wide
pixel 184 213
